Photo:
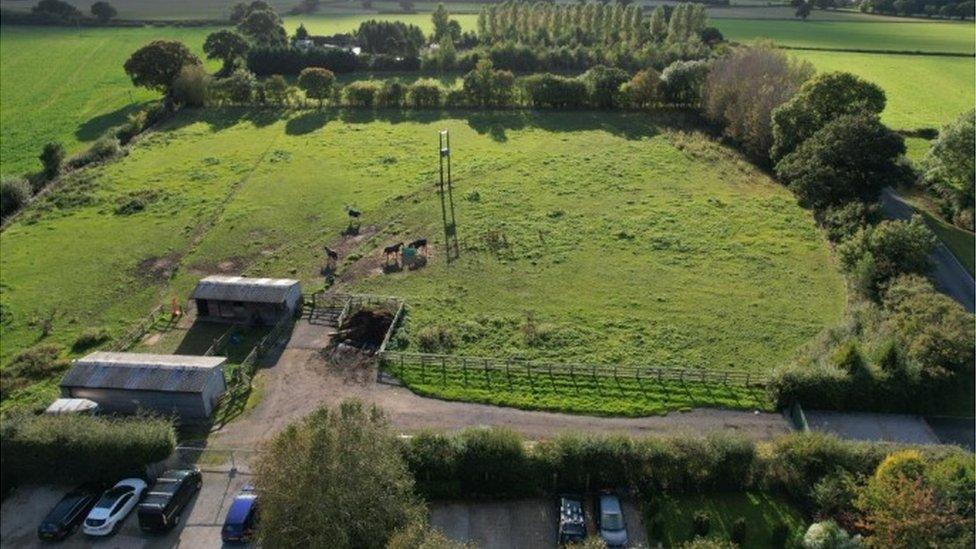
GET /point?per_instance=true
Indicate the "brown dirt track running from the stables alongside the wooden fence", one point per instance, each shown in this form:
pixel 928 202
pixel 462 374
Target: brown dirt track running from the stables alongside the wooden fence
pixel 301 380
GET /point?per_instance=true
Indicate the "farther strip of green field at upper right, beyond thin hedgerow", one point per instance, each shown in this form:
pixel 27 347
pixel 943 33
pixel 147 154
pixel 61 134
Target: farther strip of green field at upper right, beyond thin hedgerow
pixel 936 36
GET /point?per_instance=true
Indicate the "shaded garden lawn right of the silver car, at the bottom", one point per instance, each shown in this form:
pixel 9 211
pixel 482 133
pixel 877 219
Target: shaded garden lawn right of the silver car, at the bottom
pixel 671 517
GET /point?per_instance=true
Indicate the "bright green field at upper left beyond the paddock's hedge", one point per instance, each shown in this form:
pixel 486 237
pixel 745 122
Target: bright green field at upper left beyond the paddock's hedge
pixel 68 85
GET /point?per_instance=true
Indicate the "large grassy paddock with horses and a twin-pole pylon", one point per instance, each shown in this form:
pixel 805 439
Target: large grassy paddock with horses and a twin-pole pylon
pixel 588 237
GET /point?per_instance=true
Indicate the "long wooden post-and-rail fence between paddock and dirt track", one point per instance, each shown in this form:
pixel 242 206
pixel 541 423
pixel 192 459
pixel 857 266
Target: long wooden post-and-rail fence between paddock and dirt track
pixel 502 373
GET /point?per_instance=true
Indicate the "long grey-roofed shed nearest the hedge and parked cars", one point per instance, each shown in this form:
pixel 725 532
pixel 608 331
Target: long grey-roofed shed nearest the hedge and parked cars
pixel 187 386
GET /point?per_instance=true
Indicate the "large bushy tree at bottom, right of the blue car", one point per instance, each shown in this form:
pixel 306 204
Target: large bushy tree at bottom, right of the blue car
pixel 335 479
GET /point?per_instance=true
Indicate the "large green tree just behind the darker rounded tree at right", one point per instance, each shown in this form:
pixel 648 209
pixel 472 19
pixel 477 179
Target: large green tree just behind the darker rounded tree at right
pixel 820 100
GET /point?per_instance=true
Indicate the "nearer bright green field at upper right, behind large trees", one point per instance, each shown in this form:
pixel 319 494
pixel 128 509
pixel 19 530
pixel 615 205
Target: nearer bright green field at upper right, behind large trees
pixel 922 91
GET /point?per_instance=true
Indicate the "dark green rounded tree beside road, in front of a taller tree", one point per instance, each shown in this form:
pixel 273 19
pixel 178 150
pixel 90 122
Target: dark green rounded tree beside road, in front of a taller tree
pixel 851 158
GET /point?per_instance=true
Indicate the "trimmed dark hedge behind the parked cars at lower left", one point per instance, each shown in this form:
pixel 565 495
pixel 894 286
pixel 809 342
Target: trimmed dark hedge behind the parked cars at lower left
pixel 75 448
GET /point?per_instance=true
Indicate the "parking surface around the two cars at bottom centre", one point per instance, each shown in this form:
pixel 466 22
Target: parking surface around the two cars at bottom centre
pixel 516 524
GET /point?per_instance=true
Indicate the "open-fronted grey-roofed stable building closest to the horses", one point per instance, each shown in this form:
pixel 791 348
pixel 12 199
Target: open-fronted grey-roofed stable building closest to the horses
pixel 251 300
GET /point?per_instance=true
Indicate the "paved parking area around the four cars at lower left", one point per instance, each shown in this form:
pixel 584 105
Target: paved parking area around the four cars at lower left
pixel 199 525
